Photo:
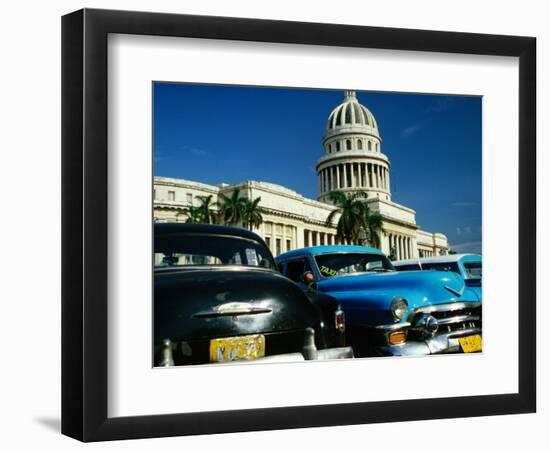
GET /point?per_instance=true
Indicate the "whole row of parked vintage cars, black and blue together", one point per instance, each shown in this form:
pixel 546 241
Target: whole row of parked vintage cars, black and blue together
pixel 221 296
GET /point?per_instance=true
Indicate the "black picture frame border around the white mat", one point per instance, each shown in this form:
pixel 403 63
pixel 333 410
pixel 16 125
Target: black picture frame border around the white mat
pixel 84 224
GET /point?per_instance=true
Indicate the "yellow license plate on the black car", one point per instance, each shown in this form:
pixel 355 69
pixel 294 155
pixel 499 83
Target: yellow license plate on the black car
pixel 237 348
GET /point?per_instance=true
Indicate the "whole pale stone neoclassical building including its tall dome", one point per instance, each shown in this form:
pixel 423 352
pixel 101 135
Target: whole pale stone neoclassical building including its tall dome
pixel 352 161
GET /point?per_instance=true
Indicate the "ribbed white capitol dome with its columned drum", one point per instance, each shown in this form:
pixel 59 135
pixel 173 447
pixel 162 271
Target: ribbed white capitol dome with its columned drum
pixel 353 160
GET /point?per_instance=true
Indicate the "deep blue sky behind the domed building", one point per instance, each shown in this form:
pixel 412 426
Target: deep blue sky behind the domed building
pixel 215 134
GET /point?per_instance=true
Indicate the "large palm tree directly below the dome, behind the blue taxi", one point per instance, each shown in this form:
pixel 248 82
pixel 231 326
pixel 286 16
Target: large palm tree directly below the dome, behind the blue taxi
pixel 352 214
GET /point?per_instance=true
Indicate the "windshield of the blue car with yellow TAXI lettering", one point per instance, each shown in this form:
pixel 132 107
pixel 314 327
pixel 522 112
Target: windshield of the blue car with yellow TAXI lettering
pixel 334 264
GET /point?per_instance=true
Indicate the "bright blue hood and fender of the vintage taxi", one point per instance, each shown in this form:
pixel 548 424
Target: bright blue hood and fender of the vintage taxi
pixel 373 293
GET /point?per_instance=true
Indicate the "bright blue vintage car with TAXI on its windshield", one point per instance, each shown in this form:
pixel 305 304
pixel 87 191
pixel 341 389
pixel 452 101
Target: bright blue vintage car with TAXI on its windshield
pixel 390 312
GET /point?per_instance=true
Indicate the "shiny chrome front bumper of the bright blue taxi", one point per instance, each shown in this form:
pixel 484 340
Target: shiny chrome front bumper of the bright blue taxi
pixel 439 344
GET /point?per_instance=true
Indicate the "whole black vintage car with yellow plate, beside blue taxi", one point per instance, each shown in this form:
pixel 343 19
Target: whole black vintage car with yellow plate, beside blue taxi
pixel 219 298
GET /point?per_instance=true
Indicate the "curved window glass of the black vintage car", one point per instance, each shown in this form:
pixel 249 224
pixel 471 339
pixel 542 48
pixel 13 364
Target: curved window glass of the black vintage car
pixel 191 250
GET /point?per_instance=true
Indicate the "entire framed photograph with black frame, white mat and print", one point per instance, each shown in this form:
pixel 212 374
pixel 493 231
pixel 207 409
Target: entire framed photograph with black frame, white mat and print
pixel 273 224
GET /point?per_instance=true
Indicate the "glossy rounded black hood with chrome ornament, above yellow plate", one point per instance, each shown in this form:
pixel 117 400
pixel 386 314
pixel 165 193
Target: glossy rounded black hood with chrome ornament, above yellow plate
pixel 219 302
